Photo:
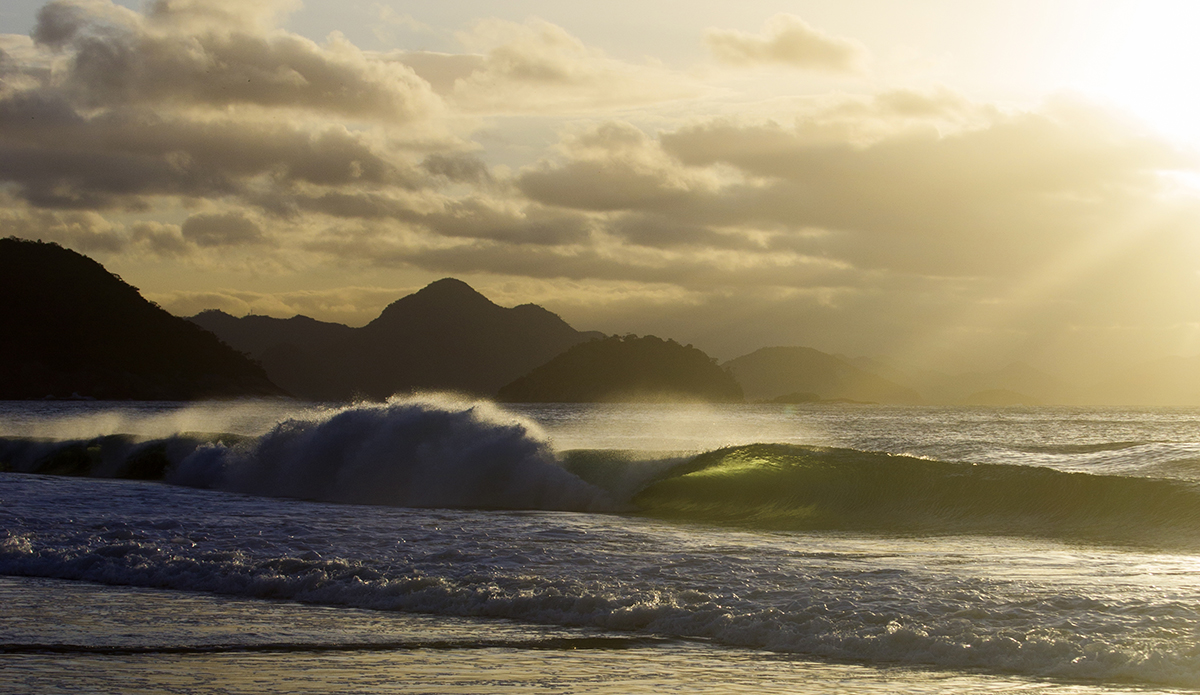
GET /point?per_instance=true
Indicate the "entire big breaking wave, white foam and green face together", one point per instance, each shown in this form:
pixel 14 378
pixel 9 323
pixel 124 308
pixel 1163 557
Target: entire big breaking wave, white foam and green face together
pixel 440 452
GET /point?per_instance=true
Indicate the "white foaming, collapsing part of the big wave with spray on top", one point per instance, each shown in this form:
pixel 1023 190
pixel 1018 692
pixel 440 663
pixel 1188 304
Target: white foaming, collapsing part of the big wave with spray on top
pixel 417 452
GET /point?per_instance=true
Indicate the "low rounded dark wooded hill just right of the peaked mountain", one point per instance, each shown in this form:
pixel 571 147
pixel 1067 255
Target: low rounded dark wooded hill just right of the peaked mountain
pixel 626 369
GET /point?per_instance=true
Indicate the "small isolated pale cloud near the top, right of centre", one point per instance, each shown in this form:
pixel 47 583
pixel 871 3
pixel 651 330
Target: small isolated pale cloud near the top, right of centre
pixel 788 40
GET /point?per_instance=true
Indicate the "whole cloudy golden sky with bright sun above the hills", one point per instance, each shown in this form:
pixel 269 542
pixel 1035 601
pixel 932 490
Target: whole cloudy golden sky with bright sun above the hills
pixel 947 184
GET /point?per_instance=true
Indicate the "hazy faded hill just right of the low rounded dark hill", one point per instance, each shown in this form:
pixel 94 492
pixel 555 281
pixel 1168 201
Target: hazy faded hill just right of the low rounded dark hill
pixel 805 374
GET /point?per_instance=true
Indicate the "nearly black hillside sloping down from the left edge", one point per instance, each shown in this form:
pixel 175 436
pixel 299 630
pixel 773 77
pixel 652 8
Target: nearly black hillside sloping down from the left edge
pixel 70 327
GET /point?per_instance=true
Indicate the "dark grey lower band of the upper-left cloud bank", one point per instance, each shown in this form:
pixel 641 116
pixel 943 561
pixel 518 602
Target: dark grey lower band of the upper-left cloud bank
pixel 61 158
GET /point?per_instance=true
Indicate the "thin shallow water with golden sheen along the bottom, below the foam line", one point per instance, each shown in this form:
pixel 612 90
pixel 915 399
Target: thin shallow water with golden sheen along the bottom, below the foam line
pixel 308 650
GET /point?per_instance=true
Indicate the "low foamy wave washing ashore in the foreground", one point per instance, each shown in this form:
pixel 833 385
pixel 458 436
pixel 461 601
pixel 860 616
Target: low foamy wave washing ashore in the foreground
pixel 850 615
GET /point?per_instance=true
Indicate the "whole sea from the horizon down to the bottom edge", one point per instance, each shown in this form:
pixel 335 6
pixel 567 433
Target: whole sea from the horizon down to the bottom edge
pixel 442 546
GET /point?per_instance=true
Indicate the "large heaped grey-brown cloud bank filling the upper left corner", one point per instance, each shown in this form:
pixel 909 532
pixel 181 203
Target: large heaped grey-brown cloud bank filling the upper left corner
pixel 200 100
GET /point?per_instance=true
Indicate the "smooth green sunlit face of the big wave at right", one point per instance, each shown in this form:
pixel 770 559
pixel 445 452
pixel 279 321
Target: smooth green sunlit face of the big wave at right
pixel 781 487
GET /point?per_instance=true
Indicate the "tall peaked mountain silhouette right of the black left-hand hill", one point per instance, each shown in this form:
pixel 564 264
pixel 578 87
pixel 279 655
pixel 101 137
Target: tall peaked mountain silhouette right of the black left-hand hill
pixel 446 337
